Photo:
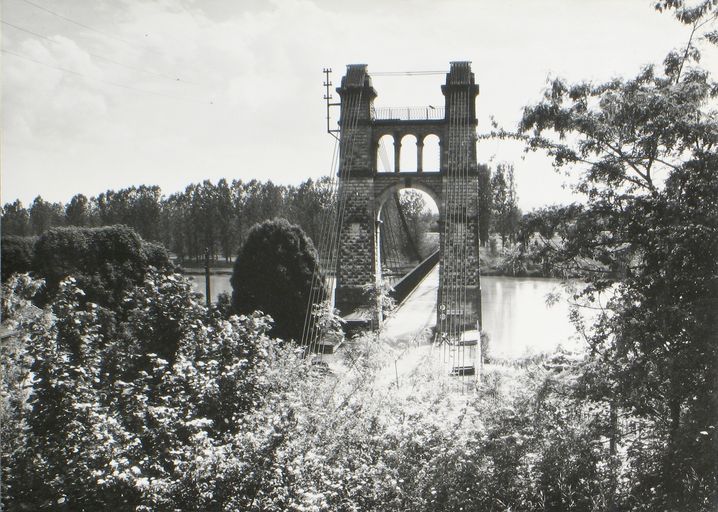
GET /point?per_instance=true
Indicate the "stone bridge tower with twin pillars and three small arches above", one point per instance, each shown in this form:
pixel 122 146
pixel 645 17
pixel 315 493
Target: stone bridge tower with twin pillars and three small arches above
pixel 363 189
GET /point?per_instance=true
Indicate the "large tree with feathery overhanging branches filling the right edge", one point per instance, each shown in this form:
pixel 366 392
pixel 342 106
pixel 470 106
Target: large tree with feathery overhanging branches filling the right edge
pixel 647 156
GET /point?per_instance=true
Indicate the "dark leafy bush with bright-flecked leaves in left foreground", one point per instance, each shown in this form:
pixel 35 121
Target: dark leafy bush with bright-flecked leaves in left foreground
pixel 109 423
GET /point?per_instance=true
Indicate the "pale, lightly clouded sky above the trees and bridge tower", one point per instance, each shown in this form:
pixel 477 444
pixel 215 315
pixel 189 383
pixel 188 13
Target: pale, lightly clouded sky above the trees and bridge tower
pixel 106 94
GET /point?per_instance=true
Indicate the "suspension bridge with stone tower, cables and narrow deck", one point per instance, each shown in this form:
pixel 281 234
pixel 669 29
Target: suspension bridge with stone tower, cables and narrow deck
pixel 358 240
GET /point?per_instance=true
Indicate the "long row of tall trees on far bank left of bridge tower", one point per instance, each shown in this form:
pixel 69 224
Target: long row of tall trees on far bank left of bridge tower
pixel 214 216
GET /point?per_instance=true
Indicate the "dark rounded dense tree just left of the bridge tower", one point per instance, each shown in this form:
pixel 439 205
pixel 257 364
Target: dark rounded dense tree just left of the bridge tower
pixel 273 274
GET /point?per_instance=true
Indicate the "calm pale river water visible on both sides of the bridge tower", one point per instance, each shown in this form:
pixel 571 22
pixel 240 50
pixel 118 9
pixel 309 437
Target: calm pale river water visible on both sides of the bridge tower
pixel 515 314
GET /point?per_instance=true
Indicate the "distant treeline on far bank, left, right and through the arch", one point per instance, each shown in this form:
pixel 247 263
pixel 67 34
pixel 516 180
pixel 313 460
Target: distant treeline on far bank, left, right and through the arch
pixel 218 216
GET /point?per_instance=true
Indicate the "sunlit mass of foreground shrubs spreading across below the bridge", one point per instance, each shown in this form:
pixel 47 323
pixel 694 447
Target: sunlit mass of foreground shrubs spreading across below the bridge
pixel 233 421
